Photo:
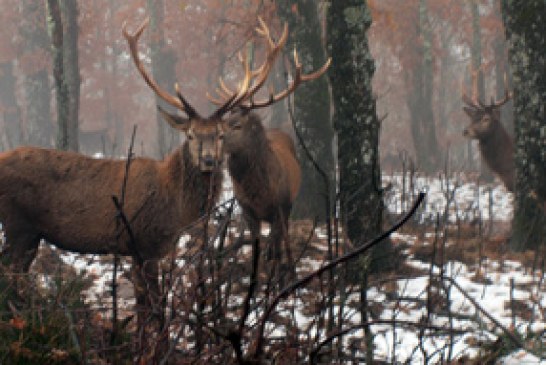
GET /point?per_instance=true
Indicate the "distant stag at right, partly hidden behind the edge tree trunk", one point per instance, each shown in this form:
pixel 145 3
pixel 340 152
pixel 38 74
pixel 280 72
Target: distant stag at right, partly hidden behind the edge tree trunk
pixel 496 146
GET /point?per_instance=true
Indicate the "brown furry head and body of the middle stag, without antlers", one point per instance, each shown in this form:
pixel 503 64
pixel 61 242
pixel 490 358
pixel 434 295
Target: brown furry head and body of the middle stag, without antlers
pixel 265 172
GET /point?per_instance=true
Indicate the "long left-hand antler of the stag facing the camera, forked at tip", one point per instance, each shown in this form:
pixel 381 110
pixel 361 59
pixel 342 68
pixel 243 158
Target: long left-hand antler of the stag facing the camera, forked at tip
pixel 177 101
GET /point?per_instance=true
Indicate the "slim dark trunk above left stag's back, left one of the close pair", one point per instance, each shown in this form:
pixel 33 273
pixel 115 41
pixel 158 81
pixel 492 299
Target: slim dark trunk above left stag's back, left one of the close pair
pixel 61 88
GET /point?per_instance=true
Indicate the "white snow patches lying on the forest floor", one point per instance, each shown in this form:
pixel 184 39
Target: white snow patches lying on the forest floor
pixel 464 201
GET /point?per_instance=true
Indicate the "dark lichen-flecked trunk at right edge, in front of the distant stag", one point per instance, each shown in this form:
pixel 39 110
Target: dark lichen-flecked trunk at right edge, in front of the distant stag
pixel 526 31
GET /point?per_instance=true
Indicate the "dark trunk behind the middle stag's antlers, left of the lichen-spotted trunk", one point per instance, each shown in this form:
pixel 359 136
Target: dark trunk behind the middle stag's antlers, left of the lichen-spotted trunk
pixel 311 106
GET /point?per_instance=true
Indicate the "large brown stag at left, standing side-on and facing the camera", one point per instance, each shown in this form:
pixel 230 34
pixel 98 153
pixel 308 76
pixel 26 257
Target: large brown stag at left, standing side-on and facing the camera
pixel 65 198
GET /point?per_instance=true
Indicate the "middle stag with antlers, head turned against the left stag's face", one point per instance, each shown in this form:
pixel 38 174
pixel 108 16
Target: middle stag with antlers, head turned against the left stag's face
pixel 262 163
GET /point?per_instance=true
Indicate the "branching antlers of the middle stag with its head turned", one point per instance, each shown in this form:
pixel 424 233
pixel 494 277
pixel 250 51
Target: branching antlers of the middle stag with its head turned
pixel 255 79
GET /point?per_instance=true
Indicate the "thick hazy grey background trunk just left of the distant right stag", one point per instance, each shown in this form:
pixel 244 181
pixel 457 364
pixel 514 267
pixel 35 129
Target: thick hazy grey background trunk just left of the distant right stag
pixel 419 101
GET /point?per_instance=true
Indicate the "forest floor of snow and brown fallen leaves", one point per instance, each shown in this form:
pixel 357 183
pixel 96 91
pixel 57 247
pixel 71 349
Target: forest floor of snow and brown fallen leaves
pixel 477 301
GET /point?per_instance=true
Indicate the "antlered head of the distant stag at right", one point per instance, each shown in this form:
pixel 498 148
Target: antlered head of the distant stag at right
pixel 484 118
